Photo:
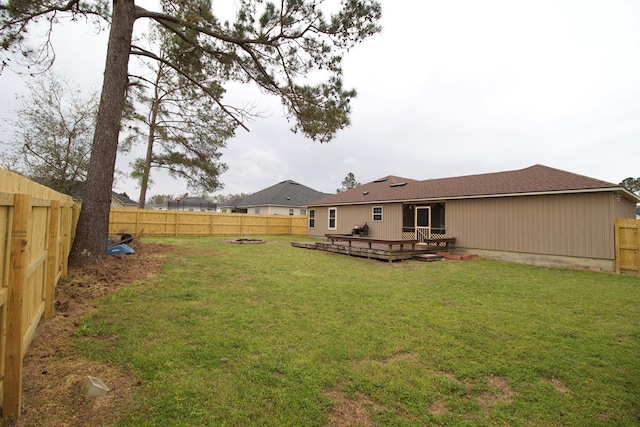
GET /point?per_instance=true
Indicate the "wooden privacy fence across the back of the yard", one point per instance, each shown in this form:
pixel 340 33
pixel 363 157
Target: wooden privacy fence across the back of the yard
pixel 145 222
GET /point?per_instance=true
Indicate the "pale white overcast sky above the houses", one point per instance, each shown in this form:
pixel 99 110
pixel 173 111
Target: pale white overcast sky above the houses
pixel 449 88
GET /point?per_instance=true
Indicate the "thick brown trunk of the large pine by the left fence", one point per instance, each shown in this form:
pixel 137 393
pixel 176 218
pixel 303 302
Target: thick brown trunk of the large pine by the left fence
pixel 90 242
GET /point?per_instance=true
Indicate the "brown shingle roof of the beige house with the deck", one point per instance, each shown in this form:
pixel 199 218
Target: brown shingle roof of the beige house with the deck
pixel 532 180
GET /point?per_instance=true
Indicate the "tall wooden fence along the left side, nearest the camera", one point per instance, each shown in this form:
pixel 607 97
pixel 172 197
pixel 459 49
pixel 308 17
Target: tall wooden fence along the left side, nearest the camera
pixel 36 231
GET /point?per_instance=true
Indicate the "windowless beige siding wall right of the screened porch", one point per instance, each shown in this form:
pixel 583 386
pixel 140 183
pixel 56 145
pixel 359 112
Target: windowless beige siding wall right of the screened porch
pixel 578 225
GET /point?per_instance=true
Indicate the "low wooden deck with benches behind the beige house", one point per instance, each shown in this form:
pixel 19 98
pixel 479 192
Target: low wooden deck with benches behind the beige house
pixel 384 249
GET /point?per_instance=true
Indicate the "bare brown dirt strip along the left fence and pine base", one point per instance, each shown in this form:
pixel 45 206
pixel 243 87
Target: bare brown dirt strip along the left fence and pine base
pixel 53 375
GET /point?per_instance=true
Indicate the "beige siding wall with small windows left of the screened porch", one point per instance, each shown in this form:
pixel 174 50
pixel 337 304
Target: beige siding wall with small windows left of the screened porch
pixel 349 216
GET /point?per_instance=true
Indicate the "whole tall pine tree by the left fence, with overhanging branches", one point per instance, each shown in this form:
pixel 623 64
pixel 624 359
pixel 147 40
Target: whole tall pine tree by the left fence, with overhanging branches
pixel 277 46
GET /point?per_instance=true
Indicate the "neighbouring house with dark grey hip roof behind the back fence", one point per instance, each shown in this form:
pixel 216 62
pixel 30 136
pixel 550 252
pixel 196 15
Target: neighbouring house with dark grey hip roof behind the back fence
pixel 285 198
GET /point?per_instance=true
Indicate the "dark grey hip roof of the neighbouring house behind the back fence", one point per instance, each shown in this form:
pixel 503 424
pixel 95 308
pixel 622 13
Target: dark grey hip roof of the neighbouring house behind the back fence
pixel 285 193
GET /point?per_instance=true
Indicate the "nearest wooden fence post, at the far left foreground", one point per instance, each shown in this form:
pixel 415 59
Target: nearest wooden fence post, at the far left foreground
pixel 12 383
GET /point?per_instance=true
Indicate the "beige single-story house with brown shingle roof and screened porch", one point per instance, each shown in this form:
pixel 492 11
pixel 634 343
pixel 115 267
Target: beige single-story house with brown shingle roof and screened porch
pixel 538 214
